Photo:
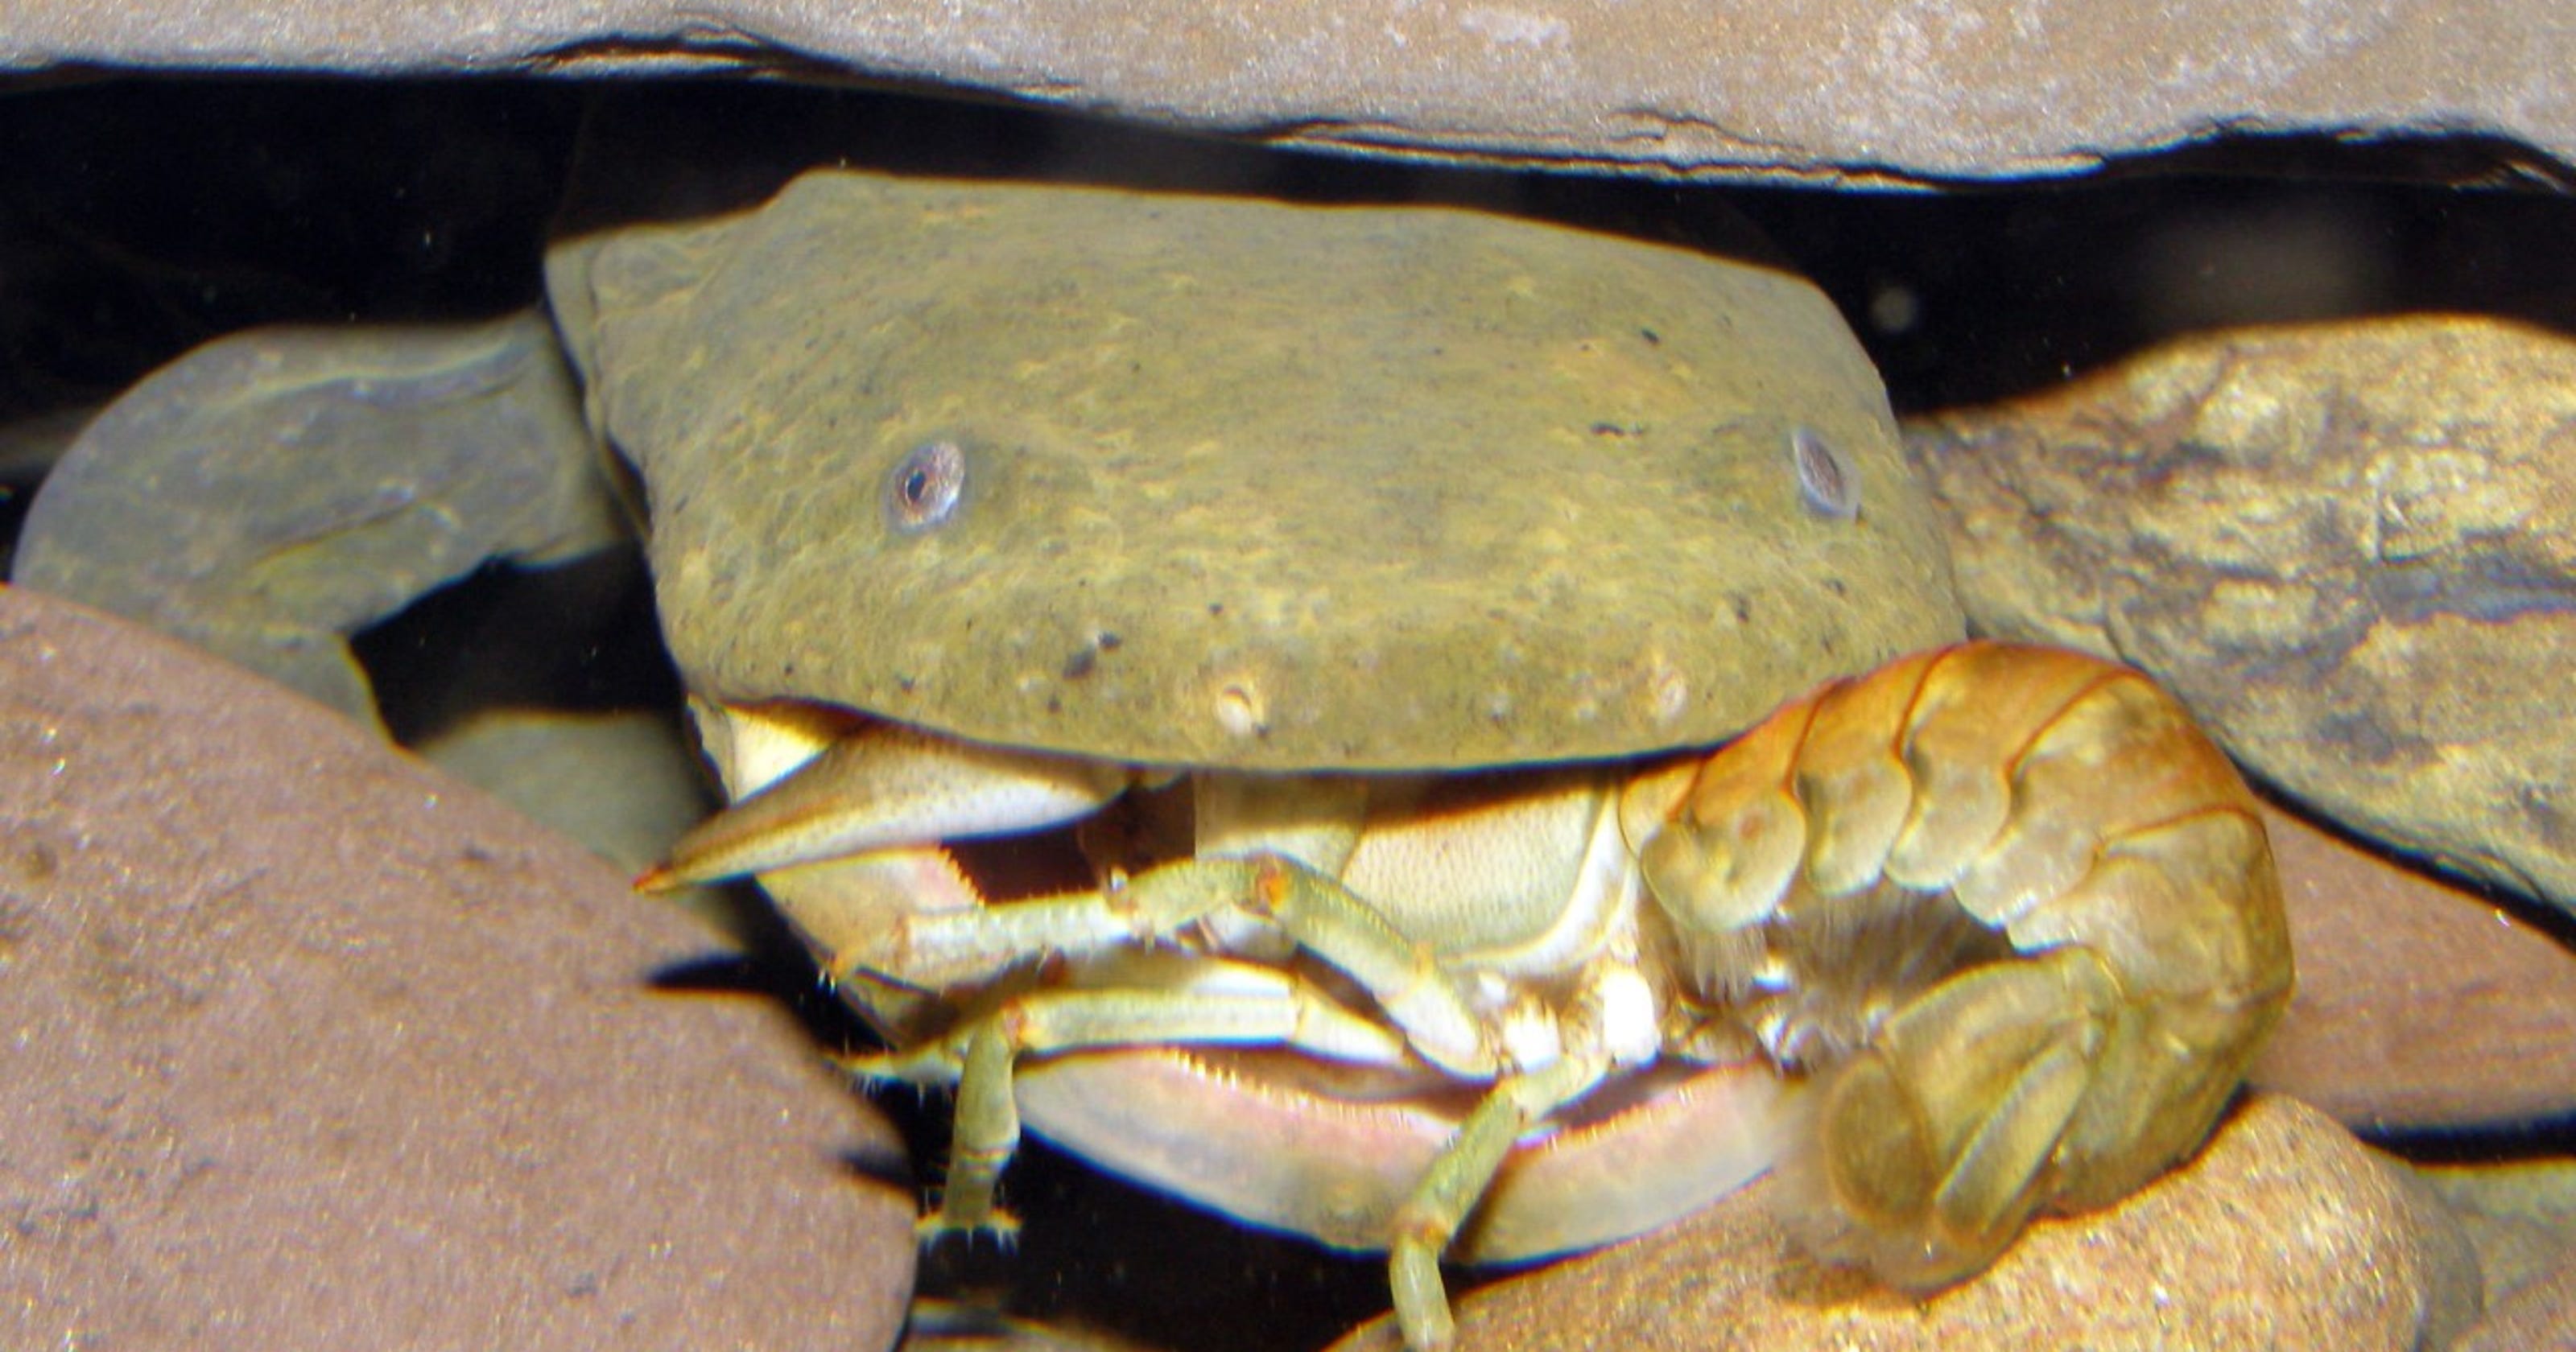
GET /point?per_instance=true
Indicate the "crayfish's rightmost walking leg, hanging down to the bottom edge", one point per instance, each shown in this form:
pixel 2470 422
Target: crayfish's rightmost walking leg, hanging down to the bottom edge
pixel 1459 1178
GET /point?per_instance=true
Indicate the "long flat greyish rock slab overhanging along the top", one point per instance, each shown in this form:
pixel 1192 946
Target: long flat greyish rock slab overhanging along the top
pixel 1972 89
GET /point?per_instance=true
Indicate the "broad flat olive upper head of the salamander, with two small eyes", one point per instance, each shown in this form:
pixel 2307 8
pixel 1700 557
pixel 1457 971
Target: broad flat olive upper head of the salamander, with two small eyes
pixel 1245 483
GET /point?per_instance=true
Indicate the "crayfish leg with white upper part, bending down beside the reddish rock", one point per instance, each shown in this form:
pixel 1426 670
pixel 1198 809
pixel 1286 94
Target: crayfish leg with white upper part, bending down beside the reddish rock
pixel 1225 1003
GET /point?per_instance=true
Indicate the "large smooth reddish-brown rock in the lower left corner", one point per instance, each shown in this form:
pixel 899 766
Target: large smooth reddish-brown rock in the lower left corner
pixel 313 1047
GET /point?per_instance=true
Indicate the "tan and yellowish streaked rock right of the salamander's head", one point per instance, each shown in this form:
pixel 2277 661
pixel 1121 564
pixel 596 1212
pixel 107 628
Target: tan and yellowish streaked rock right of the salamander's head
pixel 2348 547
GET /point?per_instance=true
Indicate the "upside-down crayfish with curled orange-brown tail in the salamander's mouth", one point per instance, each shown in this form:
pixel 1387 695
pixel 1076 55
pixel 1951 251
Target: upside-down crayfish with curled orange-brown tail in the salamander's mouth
pixel 2005 905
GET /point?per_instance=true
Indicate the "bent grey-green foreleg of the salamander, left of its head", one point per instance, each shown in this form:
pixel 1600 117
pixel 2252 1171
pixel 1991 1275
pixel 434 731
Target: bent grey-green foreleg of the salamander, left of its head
pixel 194 503
